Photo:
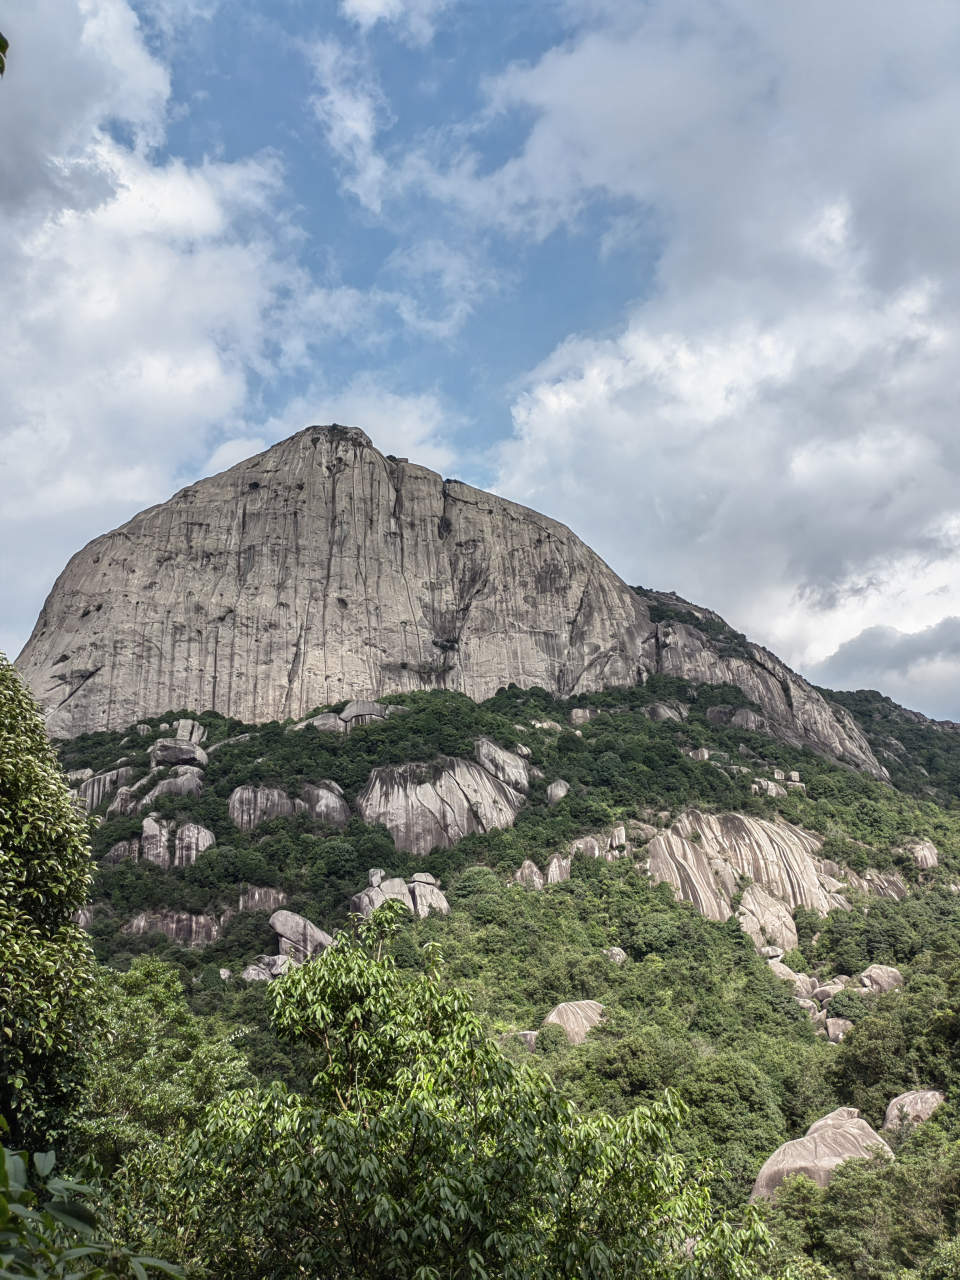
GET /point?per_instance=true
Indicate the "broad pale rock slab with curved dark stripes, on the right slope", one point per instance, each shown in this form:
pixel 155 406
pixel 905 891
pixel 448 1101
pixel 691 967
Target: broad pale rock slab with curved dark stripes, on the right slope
pixel 783 862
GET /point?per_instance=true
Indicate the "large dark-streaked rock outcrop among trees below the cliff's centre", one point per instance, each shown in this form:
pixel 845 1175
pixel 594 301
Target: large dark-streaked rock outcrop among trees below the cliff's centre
pixel 424 806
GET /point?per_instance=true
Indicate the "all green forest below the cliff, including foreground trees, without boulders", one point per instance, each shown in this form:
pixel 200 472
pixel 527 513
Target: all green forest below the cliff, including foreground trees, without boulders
pixel 184 1098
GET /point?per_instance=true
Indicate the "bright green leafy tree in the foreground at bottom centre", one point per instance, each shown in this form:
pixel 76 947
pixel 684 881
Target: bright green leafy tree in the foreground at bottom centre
pixel 422 1153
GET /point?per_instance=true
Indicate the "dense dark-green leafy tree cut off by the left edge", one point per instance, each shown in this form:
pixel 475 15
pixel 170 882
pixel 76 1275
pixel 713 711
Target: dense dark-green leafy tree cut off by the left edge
pixel 45 963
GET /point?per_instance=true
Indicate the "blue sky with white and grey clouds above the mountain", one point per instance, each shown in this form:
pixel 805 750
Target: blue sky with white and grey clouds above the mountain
pixel 683 275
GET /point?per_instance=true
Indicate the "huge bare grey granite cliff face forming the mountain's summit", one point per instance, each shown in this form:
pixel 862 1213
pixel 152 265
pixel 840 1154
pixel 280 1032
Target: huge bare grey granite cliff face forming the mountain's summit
pixel 323 570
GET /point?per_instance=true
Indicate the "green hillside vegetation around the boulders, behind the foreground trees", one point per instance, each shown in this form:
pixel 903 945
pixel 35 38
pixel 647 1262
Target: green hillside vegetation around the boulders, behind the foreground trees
pixel 693 1011
